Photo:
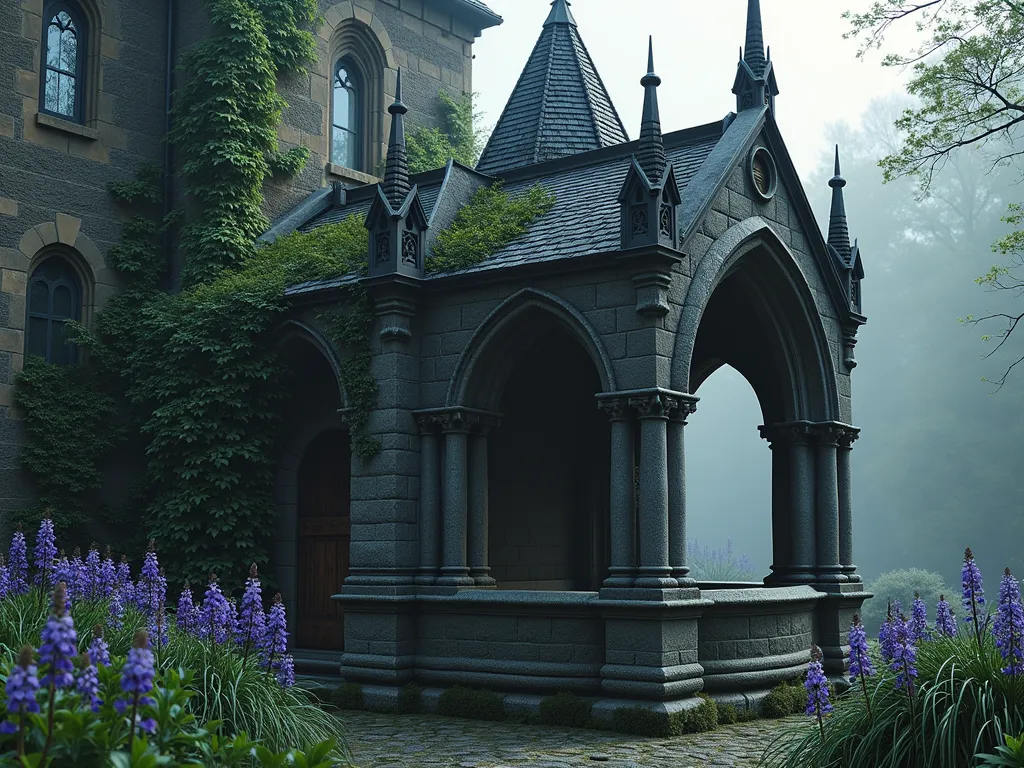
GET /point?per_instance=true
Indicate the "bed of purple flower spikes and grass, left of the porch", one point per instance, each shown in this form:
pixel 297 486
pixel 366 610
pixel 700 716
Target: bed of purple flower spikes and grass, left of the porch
pixel 126 669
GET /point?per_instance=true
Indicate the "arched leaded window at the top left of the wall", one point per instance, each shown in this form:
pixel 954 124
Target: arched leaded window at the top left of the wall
pixel 63 54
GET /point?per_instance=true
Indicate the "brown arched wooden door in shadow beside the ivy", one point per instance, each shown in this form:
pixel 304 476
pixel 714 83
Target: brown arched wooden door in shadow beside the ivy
pixel 325 533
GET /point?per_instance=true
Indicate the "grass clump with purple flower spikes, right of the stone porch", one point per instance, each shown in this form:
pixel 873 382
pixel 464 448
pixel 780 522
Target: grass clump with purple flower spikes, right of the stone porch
pixel 940 700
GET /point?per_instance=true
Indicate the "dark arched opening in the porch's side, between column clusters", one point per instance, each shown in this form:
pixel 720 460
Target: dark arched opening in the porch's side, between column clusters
pixel 549 472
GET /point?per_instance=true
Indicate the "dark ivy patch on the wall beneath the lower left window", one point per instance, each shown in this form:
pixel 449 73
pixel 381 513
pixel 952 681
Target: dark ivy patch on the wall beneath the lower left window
pixel 70 418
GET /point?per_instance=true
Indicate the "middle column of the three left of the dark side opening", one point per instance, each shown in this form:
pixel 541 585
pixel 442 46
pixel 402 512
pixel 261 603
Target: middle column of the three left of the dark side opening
pixel 455 572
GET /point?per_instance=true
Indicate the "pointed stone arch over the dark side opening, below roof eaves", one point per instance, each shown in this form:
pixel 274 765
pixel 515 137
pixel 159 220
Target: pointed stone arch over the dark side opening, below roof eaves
pixel 507 333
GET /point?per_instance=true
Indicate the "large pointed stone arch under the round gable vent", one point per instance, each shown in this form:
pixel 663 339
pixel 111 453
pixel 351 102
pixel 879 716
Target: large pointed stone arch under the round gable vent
pixel 751 307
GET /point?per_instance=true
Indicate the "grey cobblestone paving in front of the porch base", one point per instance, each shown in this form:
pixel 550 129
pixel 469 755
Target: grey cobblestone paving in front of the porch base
pixel 432 742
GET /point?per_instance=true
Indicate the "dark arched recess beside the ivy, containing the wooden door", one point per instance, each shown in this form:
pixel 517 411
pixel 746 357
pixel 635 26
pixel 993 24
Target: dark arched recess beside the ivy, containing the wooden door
pixel 314 491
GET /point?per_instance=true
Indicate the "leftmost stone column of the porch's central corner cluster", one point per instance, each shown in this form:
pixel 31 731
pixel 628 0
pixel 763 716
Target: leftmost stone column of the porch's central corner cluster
pixel 623 497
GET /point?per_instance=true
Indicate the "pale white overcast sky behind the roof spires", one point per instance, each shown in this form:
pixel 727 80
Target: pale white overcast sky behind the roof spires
pixel 697 46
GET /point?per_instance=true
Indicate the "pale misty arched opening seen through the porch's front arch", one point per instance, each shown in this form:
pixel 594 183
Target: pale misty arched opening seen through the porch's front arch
pixel 729 483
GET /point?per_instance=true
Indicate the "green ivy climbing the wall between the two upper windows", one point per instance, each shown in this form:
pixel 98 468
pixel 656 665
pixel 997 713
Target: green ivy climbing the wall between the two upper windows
pixel 226 122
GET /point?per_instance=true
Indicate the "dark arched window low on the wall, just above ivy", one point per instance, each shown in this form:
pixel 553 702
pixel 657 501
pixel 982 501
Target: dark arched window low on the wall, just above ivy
pixel 55 298
